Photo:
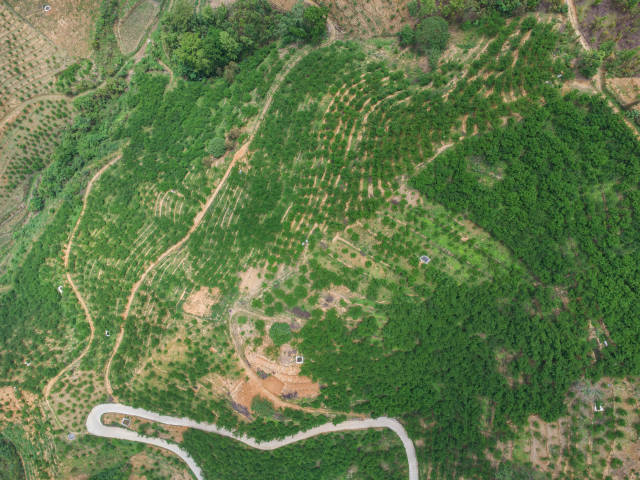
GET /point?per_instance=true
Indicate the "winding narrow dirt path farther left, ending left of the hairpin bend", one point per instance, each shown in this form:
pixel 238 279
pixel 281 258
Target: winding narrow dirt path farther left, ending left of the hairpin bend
pixel 67 251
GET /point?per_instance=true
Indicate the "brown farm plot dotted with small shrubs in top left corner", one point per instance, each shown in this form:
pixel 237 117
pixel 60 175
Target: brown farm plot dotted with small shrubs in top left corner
pixel 28 62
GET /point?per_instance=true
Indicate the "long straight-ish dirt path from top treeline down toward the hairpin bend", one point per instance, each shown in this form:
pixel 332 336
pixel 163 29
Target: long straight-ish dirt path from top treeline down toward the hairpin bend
pixel 240 154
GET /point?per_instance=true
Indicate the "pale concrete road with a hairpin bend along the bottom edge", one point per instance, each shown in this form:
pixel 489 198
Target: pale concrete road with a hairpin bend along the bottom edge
pixel 96 427
